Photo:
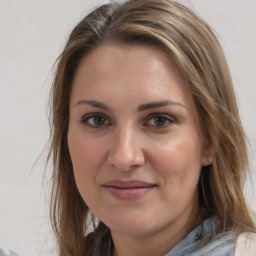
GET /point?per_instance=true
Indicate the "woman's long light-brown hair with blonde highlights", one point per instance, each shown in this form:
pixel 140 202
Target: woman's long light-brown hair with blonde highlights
pixel 192 47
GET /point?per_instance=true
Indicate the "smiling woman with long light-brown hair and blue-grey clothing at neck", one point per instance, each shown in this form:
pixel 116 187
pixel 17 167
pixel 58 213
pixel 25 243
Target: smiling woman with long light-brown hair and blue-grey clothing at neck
pixel 148 150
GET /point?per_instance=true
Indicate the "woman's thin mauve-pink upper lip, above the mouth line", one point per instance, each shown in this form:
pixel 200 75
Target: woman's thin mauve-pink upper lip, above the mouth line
pixel 128 184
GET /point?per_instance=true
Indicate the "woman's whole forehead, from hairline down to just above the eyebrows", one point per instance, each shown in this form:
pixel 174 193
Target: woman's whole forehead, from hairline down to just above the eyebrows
pixel 128 67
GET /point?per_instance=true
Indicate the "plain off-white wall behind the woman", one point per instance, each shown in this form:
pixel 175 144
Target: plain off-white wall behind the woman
pixel 32 34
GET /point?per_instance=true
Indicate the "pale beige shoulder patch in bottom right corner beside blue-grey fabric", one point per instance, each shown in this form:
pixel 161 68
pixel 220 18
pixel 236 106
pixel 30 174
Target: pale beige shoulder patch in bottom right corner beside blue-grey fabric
pixel 246 244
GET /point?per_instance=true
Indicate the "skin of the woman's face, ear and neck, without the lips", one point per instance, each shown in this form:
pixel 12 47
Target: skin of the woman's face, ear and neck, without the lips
pixel 129 142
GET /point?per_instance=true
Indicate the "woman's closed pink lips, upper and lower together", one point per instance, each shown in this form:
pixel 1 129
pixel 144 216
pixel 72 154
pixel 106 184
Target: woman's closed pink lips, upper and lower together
pixel 128 190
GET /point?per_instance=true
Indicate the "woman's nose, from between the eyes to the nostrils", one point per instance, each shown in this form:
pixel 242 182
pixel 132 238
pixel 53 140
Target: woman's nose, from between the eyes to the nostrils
pixel 126 151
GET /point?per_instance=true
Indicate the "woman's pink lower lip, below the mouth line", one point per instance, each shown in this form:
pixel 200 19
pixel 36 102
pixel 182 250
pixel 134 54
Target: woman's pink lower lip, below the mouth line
pixel 128 193
